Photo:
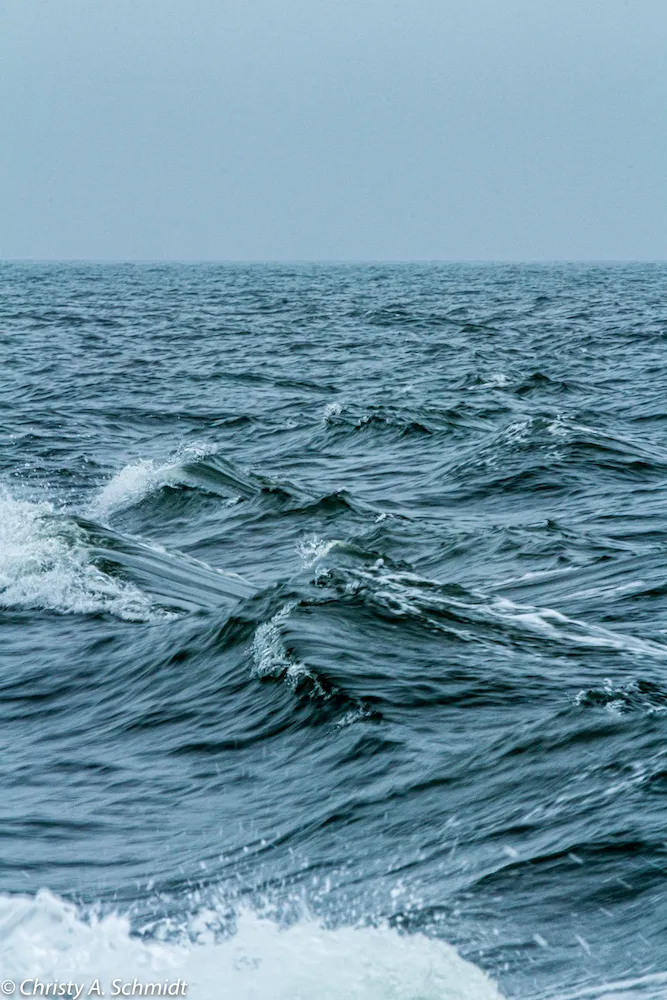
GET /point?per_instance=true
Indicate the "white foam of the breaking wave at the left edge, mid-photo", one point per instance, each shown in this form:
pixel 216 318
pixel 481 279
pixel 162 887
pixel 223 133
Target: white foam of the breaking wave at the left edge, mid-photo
pixel 45 564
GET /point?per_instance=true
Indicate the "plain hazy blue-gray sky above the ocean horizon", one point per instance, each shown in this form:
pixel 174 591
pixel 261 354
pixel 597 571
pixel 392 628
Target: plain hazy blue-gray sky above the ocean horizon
pixel 333 129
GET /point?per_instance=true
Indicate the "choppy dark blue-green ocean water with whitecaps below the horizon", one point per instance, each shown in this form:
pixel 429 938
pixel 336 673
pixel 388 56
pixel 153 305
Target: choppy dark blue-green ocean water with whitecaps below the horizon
pixel 333 629
